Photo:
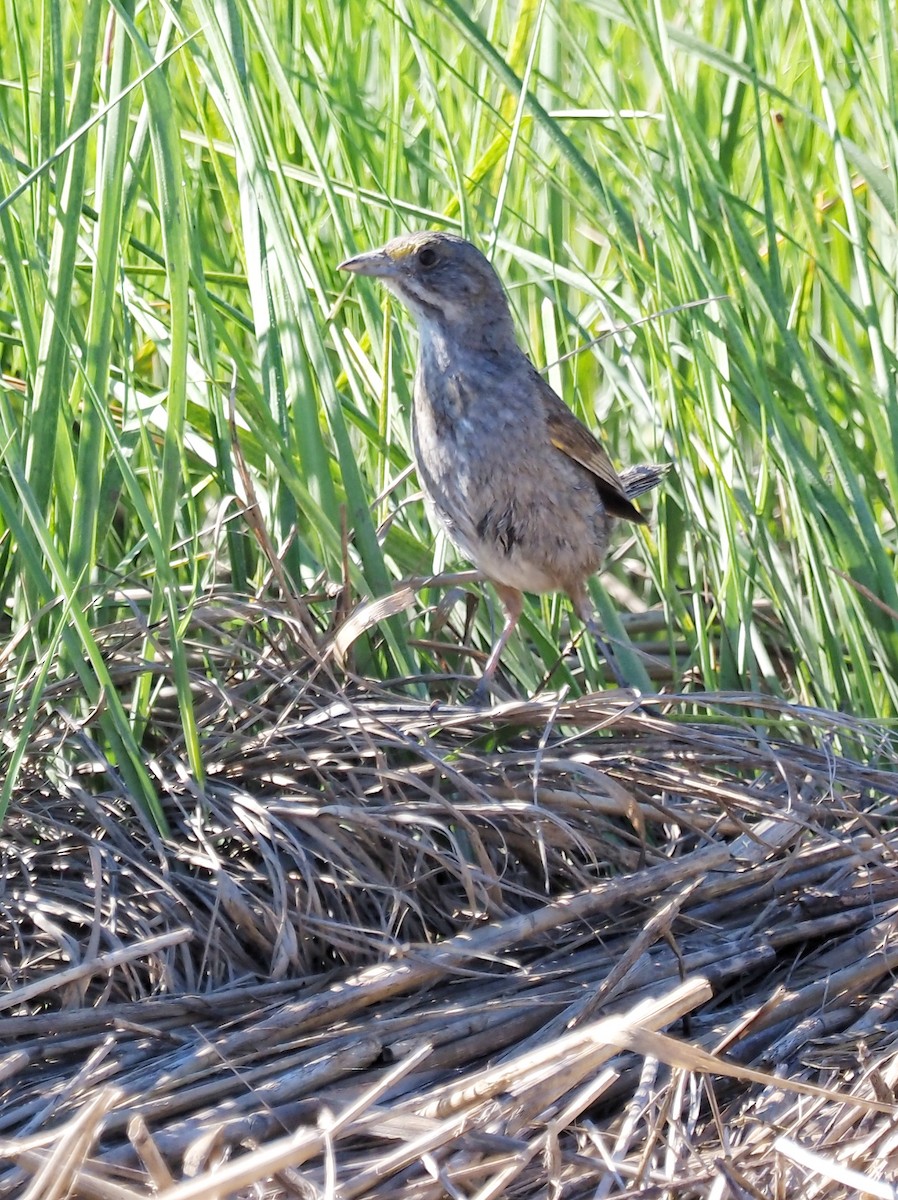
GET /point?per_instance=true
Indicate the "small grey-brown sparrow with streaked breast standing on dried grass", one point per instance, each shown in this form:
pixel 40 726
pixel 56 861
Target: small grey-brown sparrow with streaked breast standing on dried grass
pixel 522 487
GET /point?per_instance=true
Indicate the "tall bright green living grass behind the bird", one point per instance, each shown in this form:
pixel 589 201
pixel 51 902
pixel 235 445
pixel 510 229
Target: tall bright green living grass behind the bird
pixel 618 160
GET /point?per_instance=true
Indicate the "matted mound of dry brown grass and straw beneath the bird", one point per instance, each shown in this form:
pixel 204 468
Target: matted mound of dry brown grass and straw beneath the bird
pixel 400 951
